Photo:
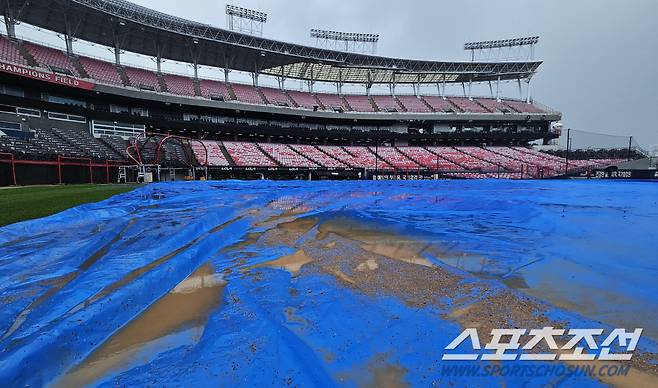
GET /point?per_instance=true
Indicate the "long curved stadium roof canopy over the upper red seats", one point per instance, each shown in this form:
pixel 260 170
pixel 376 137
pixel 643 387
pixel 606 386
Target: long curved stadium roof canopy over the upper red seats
pixel 142 30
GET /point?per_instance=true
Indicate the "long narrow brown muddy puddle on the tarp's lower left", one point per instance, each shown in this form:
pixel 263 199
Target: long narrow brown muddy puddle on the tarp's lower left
pixel 176 319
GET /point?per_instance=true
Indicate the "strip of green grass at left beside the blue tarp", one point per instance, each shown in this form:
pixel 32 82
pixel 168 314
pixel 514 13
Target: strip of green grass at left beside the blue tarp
pixel 26 203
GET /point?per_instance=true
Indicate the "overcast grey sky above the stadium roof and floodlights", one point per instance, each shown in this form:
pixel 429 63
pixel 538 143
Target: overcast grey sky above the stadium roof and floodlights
pixel 600 56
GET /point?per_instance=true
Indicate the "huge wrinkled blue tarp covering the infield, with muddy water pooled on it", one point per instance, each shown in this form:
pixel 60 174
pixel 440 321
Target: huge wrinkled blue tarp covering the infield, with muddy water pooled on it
pixel 178 283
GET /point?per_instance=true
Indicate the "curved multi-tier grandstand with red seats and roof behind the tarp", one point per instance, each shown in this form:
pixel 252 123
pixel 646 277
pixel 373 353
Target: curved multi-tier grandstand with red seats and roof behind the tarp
pixel 69 117
